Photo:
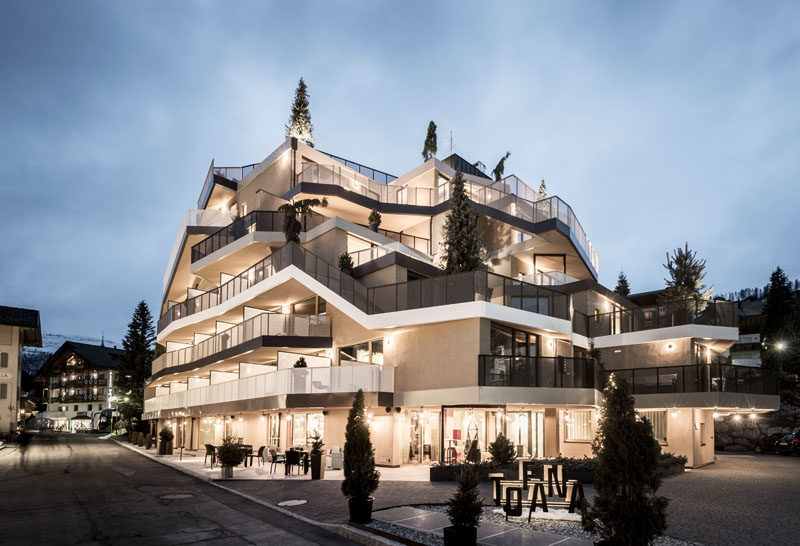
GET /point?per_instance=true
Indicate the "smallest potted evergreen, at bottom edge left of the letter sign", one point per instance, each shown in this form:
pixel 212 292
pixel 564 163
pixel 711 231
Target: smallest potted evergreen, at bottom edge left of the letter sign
pixel 464 509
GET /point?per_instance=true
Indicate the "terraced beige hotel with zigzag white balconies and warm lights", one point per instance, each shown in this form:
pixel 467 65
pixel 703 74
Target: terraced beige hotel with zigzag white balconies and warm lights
pixel 446 361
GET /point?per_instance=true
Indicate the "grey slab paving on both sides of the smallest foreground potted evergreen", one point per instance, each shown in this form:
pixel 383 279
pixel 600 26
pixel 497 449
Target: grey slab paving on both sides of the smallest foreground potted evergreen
pixel 488 533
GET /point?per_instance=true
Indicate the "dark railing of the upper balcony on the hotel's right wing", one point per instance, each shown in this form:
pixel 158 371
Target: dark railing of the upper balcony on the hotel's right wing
pixel 711 313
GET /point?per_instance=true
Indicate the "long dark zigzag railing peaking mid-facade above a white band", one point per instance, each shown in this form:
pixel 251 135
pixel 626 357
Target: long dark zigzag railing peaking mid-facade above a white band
pixel 444 290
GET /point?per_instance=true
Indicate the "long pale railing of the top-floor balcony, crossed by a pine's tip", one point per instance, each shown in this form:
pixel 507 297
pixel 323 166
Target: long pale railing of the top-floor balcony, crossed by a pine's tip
pixel 493 195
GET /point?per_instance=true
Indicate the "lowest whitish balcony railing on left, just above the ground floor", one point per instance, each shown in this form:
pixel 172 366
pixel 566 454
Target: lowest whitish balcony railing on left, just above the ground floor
pixel 328 380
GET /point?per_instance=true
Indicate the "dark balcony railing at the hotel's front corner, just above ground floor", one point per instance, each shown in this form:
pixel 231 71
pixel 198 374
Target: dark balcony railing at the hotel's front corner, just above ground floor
pixel 537 371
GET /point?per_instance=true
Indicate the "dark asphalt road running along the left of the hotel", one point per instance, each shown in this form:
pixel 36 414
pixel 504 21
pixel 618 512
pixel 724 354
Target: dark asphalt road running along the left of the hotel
pixel 64 490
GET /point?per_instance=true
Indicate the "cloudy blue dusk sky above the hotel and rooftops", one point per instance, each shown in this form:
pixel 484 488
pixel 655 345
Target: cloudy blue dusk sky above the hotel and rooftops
pixel 659 123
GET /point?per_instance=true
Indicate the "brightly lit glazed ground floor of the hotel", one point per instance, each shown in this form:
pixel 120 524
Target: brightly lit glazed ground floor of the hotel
pixel 427 434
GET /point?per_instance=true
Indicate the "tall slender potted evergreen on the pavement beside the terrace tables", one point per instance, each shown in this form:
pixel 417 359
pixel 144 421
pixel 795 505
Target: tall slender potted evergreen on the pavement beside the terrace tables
pixel 360 476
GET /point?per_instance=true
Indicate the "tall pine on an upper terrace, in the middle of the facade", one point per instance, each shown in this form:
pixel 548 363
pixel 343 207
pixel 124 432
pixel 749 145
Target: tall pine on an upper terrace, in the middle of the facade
pixel 461 238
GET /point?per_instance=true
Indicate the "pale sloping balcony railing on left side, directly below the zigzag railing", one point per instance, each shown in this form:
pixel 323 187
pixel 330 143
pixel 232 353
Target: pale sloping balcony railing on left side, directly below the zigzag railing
pixel 265 324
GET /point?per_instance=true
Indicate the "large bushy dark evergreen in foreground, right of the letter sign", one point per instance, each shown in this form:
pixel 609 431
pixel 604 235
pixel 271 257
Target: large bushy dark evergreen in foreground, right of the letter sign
pixel 625 509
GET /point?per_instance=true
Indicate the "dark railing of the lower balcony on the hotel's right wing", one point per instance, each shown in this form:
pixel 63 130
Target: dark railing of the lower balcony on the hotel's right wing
pixel 700 378
